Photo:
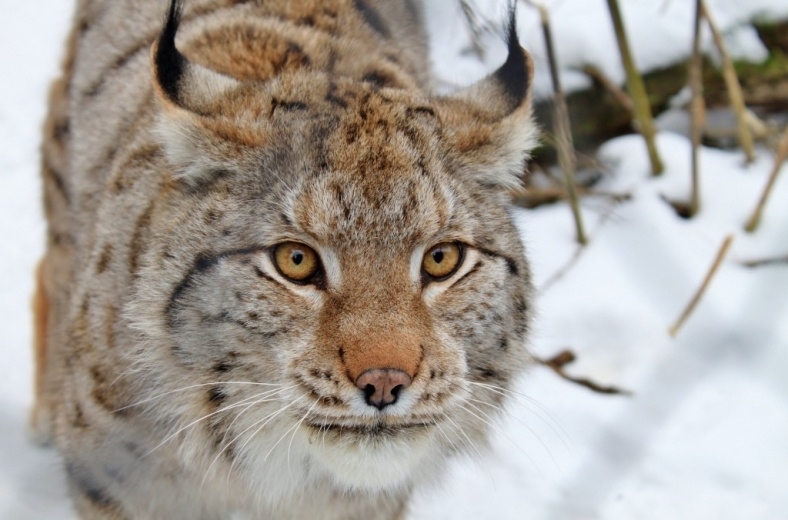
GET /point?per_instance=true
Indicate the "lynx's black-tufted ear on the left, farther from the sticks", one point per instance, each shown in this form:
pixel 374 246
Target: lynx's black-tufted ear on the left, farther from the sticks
pixel 186 92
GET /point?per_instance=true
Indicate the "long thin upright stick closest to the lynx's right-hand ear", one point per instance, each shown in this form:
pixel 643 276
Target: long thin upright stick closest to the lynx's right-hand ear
pixel 562 130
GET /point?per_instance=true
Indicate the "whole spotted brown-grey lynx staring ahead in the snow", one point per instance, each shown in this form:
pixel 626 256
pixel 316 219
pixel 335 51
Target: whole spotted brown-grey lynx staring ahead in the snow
pixel 281 277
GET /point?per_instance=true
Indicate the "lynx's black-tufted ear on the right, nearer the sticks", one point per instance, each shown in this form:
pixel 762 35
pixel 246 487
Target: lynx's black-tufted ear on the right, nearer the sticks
pixel 490 123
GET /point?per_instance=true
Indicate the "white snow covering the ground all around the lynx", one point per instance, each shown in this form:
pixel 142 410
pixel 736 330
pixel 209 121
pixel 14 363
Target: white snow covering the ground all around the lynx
pixel 704 433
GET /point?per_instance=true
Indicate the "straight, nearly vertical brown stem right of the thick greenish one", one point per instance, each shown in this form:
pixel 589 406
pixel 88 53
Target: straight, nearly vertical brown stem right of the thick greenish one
pixel 697 110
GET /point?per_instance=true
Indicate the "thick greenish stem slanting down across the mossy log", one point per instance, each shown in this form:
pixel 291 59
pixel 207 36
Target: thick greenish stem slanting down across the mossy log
pixel 637 89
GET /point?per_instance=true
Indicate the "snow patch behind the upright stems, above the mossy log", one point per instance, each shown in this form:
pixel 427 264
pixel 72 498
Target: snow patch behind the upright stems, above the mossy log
pixel 659 32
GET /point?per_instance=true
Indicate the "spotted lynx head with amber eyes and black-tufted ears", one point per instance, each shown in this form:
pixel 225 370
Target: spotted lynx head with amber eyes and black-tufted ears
pixel 342 237
